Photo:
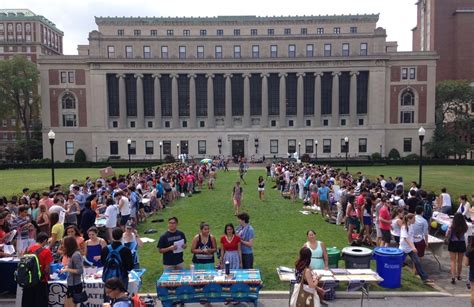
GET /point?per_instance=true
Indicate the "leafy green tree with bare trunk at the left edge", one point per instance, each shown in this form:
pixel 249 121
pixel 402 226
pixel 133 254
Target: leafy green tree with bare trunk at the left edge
pixel 19 94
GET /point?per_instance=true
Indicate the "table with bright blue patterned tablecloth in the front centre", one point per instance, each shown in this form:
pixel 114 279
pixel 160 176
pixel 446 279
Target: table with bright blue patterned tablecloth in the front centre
pixel 184 286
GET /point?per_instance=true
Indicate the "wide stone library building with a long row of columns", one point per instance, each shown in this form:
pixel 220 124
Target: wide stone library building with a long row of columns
pixel 237 85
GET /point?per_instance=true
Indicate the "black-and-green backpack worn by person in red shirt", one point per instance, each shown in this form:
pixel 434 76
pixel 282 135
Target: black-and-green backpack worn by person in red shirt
pixel 28 273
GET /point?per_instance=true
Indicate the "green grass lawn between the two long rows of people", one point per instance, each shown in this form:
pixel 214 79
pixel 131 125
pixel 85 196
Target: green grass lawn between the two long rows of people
pixel 280 229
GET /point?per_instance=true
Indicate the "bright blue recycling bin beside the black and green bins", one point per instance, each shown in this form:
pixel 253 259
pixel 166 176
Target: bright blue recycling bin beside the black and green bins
pixel 389 266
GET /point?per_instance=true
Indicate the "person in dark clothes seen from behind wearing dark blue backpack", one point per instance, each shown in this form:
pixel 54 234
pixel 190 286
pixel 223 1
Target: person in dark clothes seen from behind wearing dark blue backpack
pixel 117 259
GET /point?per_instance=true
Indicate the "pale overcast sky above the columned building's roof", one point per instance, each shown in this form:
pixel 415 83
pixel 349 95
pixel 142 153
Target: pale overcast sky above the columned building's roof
pixel 76 18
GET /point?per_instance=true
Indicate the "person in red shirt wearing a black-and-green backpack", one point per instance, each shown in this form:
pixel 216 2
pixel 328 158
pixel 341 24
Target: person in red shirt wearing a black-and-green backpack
pixel 38 294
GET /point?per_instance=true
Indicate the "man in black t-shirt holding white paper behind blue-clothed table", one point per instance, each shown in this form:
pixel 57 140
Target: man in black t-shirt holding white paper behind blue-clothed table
pixel 172 244
